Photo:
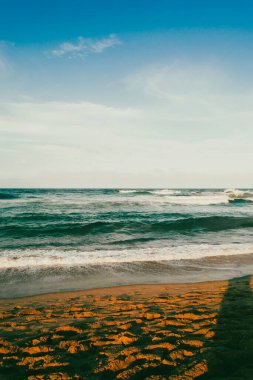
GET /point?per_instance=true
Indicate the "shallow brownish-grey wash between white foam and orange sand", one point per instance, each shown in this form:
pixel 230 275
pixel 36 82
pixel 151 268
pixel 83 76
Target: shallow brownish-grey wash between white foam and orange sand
pixel 46 282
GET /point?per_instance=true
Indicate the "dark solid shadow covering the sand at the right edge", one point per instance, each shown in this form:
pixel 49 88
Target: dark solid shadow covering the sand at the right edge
pixel 231 355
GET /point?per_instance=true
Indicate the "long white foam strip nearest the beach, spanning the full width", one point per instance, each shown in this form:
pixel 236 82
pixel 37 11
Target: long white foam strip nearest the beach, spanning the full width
pixel 55 258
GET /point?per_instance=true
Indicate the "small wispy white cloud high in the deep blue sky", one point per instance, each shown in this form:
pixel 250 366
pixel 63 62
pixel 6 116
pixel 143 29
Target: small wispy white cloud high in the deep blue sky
pixel 84 46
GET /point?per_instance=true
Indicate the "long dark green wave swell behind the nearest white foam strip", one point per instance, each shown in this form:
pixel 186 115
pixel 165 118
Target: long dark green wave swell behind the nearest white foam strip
pixel 127 226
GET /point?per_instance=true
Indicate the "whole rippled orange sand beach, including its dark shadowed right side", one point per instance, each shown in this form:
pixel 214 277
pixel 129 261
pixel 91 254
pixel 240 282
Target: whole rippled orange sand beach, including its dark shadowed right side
pixel 183 331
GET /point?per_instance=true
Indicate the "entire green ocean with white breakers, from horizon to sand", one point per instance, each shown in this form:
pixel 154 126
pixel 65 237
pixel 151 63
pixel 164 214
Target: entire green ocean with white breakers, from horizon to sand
pixel 65 239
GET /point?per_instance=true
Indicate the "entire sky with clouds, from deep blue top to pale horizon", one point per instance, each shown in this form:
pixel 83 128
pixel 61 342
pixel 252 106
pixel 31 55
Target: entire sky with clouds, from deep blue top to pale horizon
pixel 126 93
